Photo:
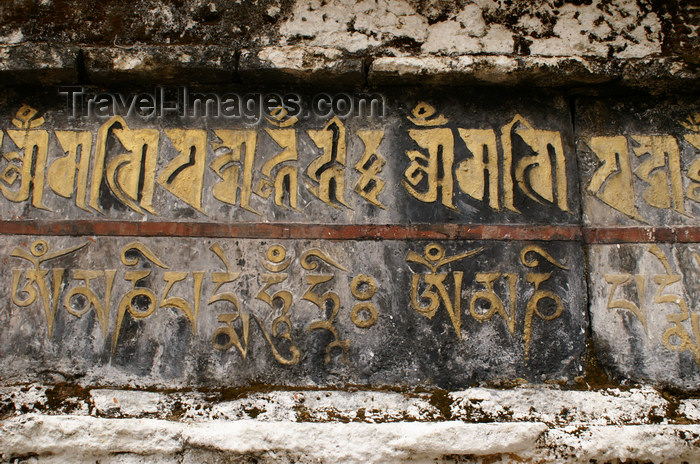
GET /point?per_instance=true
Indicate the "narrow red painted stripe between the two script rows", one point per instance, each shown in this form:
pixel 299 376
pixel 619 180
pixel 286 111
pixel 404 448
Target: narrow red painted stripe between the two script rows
pixel 592 235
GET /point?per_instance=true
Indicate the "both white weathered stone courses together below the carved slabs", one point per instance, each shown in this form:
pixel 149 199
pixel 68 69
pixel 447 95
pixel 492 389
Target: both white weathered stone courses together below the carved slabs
pixel 51 424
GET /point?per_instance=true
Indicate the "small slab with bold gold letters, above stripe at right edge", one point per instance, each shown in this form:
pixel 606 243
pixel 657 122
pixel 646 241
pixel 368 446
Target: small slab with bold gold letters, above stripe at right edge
pixel 639 161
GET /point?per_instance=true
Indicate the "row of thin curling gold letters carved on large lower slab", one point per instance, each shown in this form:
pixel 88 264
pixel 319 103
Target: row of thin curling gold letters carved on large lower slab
pixel 294 303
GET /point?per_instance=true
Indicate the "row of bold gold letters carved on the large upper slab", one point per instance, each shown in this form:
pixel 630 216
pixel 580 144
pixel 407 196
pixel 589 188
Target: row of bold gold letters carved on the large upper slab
pixel 283 167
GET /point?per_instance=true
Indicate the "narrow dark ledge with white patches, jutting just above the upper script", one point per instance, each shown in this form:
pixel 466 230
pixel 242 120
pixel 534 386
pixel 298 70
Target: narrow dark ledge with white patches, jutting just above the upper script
pixel 31 63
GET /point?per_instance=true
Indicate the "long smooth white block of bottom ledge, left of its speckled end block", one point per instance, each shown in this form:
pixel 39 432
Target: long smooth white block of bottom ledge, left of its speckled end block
pixel 77 438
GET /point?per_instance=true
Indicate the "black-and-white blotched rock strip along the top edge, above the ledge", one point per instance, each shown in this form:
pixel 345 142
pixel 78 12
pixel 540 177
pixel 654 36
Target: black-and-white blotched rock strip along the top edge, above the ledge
pixel 616 28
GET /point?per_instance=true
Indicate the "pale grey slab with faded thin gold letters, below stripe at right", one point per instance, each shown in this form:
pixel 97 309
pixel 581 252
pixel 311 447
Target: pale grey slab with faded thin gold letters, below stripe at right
pixel 644 311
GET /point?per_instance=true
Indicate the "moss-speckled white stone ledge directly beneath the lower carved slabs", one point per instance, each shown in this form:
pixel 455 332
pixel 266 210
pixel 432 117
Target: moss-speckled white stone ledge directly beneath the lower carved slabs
pixel 548 405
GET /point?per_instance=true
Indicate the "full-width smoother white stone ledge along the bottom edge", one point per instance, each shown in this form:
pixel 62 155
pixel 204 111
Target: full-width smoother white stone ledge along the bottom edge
pixel 82 439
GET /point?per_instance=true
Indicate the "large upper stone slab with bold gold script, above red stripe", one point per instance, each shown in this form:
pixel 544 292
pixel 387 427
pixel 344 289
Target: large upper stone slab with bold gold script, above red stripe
pixel 491 157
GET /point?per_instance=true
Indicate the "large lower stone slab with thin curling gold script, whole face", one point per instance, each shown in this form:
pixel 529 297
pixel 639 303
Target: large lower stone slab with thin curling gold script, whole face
pixel 203 312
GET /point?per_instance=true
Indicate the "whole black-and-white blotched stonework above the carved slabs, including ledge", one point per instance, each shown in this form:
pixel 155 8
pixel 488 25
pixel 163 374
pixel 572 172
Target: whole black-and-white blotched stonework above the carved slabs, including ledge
pixel 640 44
